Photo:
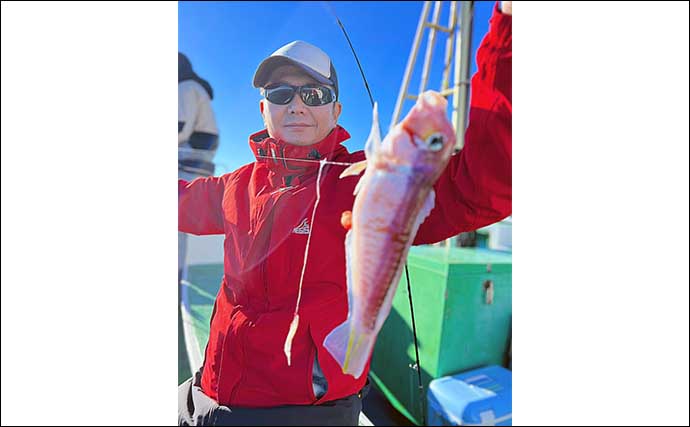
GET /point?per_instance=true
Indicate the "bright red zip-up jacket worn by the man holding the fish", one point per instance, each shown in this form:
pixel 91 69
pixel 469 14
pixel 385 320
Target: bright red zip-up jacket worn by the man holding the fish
pixel 264 211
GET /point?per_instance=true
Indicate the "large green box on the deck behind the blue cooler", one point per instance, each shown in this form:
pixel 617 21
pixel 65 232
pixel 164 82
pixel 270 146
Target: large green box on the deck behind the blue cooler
pixel 462 305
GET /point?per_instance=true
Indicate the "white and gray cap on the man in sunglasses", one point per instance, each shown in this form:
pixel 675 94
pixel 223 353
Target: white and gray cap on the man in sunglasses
pixel 306 56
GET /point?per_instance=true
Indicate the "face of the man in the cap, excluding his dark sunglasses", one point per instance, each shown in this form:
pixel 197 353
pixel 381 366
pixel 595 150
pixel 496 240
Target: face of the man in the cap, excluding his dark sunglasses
pixel 297 123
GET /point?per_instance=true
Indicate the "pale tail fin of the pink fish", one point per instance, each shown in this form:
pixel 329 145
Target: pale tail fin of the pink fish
pixel 350 347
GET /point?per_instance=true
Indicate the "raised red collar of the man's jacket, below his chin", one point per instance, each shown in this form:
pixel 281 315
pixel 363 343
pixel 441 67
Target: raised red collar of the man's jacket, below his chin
pixel 283 158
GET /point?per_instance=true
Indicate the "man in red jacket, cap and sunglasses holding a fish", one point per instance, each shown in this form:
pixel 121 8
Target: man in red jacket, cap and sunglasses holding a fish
pixel 264 210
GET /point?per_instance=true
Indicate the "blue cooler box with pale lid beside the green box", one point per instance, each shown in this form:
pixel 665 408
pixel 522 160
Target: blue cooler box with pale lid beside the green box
pixel 478 397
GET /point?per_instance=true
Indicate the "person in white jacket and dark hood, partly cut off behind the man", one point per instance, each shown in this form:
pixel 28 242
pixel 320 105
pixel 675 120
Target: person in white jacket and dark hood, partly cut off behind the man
pixel 197 135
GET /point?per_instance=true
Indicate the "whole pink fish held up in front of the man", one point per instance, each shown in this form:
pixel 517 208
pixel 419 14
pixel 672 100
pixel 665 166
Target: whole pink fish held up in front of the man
pixel 393 198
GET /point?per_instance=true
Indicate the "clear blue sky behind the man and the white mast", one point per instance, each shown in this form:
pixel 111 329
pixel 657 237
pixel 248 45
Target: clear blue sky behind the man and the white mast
pixel 226 41
